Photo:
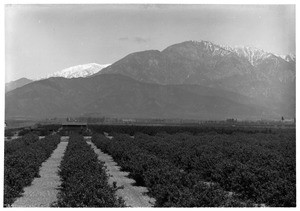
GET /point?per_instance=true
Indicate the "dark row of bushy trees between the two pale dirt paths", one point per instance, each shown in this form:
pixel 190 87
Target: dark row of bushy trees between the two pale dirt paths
pixel 84 180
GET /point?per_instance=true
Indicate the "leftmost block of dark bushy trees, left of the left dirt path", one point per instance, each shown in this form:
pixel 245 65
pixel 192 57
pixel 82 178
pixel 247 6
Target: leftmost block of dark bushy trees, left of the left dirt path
pixel 22 160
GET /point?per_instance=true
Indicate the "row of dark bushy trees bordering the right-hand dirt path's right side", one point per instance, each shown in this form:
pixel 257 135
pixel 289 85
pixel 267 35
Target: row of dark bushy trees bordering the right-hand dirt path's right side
pixel 168 184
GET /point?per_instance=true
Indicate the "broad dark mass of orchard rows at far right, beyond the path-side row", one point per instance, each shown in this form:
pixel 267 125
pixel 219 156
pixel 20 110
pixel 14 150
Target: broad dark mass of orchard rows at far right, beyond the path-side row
pixel 260 167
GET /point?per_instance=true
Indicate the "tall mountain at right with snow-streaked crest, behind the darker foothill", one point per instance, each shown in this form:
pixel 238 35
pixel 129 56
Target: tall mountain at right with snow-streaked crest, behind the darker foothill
pixel 266 78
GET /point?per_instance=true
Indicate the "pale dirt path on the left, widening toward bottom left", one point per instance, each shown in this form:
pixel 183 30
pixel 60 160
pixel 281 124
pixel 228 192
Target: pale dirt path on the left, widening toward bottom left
pixel 43 190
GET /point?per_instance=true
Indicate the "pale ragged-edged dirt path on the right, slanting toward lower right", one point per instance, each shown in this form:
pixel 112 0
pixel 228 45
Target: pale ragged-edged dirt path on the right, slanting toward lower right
pixel 134 196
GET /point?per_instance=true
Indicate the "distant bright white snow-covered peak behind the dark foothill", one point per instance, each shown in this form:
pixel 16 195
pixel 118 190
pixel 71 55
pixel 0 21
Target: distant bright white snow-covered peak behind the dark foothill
pixel 84 70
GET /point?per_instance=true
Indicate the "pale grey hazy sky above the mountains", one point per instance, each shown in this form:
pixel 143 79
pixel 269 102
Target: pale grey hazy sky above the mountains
pixel 41 39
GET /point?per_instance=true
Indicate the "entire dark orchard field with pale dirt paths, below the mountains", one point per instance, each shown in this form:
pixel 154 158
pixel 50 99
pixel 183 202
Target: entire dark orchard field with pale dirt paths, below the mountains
pixel 193 167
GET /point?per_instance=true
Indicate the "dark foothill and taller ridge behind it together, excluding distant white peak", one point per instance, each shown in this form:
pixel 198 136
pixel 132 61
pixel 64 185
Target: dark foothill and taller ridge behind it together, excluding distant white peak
pixel 197 80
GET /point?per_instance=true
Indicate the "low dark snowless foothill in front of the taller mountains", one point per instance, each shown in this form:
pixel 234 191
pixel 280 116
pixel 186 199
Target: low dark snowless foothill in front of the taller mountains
pixel 121 96
